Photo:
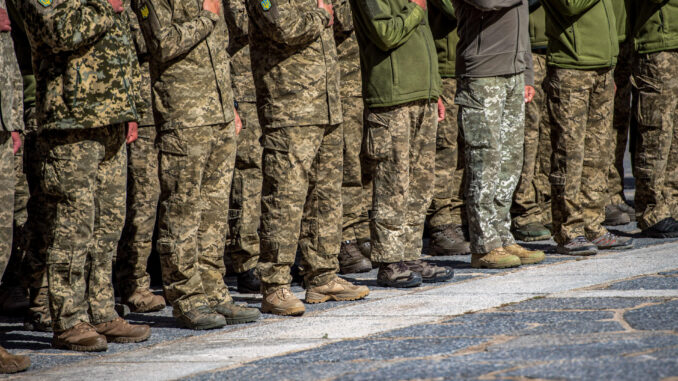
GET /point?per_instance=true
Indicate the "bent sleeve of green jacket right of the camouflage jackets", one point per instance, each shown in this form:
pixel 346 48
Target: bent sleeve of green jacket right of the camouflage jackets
pixel 387 29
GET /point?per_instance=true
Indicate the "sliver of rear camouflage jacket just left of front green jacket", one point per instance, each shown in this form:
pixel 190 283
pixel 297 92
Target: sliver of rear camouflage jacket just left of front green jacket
pixel 347 49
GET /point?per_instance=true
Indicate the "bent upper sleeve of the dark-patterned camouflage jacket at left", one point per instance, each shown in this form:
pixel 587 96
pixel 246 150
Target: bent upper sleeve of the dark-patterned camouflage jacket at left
pixel 68 25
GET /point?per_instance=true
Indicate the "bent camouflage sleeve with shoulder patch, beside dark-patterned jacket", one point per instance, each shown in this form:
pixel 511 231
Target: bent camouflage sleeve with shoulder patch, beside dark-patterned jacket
pixel 166 39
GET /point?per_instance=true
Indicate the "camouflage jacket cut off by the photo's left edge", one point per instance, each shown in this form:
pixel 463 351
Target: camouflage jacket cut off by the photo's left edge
pixel 11 88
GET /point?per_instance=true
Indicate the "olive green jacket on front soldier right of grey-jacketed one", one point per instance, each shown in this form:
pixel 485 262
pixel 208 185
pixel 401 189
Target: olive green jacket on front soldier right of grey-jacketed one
pixel 582 34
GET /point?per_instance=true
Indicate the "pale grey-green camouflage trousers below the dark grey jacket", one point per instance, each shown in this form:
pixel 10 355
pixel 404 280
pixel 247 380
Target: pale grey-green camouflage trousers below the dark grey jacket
pixel 492 116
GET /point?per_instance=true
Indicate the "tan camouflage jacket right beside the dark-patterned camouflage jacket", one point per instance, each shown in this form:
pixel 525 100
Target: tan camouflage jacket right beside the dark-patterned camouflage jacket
pixel 190 76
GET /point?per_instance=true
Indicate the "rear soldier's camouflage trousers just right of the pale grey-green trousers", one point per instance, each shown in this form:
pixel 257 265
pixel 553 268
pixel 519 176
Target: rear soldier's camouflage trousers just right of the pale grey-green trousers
pixel 531 199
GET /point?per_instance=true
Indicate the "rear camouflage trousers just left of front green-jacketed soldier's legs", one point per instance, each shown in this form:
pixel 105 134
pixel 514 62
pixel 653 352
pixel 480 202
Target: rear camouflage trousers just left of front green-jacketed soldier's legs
pixel 356 191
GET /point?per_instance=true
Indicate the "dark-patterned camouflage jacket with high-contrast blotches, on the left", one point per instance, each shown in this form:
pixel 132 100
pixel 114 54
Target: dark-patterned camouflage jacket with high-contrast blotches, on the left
pixel 86 70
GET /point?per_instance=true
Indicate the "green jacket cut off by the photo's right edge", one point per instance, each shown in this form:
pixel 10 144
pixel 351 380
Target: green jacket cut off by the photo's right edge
pixel 655 26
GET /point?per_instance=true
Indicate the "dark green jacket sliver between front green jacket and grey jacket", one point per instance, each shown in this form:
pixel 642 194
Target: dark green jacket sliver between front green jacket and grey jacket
pixel 444 28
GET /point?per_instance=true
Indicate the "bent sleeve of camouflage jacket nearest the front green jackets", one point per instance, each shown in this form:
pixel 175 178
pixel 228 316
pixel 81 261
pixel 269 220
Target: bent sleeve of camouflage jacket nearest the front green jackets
pixel 282 22
